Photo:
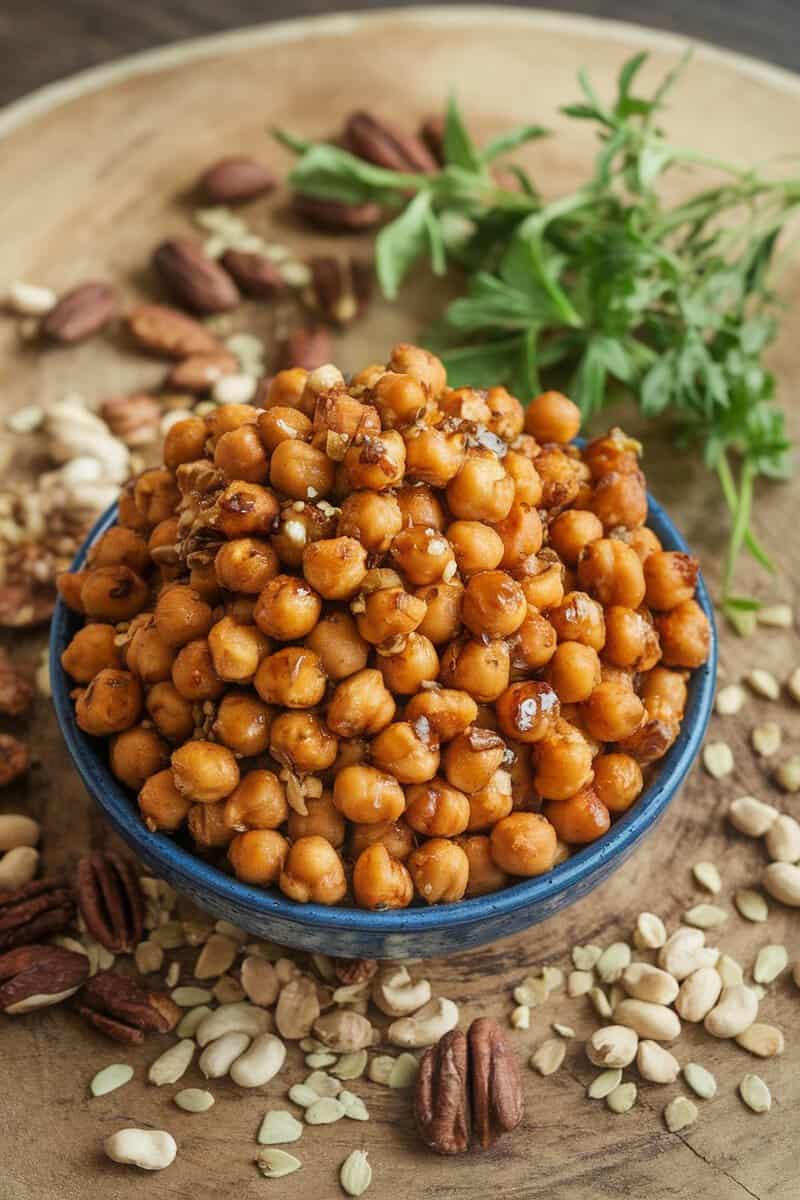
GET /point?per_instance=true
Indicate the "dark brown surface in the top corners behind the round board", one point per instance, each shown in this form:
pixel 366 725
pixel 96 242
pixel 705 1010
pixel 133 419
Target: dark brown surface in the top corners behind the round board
pixel 47 40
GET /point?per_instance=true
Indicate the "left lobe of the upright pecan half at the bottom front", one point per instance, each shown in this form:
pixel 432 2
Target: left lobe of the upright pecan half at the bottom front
pixel 442 1097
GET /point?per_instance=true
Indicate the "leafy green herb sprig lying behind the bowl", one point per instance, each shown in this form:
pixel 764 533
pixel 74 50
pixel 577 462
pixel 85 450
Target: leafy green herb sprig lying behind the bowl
pixel 609 291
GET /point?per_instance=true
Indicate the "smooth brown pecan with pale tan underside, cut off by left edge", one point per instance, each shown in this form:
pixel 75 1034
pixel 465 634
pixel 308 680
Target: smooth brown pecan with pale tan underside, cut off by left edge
pixel 40 976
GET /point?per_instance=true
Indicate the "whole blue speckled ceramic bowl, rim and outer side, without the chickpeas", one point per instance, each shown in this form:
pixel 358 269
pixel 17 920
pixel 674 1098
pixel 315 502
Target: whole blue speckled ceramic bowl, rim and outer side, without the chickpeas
pixel 417 932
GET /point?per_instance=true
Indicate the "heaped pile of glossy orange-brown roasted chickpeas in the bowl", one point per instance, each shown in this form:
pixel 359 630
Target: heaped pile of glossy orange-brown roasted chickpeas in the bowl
pixel 384 639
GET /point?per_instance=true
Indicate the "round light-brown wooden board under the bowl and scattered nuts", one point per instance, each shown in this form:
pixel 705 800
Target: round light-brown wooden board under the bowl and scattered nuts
pixel 95 170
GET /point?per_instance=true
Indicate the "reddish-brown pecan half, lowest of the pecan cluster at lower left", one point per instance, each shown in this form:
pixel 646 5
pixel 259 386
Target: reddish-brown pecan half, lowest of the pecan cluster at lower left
pixel 124 1010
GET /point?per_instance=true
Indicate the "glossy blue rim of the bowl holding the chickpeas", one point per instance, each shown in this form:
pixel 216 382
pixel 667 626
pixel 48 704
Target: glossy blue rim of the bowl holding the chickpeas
pixel 195 874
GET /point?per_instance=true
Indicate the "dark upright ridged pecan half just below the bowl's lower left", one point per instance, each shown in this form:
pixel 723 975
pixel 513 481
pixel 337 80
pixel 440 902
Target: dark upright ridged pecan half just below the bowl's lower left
pixel 111 901
